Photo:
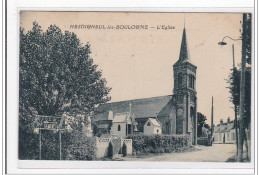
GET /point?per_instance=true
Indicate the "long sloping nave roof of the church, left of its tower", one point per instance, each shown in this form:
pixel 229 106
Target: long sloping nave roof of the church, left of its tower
pixel 141 108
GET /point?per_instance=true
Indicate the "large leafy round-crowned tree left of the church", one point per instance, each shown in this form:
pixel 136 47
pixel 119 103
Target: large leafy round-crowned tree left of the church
pixel 57 77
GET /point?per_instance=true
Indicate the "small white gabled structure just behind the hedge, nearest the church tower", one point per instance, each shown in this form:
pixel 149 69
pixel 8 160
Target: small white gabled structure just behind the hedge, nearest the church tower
pixel 152 126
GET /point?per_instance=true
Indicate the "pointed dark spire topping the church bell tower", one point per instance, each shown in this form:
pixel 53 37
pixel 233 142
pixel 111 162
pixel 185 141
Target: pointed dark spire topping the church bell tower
pixel 184 56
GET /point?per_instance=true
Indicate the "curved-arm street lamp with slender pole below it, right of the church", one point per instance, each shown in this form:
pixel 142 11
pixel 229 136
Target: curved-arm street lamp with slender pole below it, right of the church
pixel 222 43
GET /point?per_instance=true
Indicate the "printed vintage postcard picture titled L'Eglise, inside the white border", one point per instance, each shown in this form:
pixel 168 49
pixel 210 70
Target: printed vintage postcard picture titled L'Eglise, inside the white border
pixel 135 86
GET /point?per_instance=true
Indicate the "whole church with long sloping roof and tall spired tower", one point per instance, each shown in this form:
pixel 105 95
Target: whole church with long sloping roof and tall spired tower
pixel 171 114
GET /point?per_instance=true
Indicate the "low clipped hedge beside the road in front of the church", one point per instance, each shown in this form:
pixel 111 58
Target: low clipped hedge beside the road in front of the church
pixel 144 144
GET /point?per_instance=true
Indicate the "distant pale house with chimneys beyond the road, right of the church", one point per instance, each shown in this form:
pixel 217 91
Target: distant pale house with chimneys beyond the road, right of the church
pixel 225 132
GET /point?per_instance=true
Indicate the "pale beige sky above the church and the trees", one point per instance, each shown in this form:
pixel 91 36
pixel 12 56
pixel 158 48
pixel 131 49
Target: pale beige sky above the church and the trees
pixel 138 63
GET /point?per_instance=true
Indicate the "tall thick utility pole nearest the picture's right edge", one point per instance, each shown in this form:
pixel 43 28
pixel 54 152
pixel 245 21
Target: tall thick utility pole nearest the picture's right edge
pixel 242 94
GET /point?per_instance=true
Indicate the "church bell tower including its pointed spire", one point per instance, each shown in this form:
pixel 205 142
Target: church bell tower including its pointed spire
pixel 184 93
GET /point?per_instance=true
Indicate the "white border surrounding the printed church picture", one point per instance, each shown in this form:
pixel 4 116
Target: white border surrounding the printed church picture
pixel 14 166
